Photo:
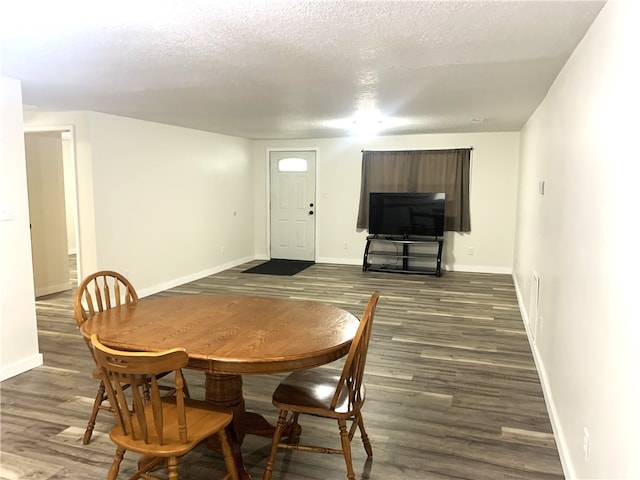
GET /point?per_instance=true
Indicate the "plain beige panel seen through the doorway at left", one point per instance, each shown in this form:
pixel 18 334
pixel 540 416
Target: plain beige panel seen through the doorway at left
pixel 47 214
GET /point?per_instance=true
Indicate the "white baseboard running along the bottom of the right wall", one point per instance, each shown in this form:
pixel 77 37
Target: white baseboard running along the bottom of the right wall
pixel 563 450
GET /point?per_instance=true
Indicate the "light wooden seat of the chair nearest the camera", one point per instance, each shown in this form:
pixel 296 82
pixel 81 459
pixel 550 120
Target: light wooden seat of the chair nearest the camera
pixel 203 419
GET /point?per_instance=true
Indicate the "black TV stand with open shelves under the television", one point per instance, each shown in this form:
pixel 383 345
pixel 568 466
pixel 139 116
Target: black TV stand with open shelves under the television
pixel 402 260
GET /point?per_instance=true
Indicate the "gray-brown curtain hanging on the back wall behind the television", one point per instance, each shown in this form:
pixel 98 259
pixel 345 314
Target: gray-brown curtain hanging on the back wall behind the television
pixel 415 171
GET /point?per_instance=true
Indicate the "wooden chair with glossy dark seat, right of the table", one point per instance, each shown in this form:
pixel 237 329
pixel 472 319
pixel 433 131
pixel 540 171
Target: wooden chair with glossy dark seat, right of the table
pixel 321 393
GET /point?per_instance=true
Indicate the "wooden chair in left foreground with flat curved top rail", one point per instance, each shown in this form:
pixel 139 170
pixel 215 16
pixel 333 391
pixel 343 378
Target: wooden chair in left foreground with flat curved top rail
pixel 164 428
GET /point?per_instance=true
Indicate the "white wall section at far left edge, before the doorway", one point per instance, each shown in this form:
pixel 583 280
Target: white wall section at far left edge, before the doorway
pixel 18 333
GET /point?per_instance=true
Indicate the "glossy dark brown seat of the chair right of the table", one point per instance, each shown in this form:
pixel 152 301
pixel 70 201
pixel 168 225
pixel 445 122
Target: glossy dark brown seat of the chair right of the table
pixel 311 391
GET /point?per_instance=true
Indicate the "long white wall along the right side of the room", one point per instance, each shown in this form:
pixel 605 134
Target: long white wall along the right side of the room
pixel 580 238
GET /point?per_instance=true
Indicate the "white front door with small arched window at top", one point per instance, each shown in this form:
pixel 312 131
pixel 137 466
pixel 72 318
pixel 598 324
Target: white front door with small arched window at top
pixel 293 205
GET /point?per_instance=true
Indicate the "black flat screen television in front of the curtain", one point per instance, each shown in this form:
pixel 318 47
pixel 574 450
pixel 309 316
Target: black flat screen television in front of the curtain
pixel 406 214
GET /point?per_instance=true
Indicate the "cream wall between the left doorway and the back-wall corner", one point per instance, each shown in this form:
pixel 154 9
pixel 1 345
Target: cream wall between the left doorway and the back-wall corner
pixel 162 204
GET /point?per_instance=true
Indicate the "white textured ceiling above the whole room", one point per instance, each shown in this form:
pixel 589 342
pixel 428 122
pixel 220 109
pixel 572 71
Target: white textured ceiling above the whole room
pixel 294 69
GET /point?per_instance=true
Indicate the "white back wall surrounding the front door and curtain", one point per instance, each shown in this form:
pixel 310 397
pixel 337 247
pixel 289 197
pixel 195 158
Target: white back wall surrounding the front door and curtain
pixel 494 174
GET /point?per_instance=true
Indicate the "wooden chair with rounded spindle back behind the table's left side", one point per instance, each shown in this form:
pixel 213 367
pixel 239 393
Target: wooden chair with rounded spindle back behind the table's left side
pixel 96 293
